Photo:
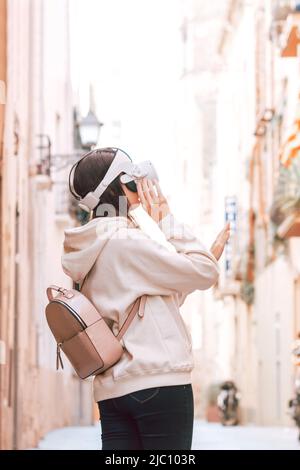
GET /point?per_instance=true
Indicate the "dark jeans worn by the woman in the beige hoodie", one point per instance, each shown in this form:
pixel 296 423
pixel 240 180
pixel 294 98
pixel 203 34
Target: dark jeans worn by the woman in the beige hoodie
pixel 153 418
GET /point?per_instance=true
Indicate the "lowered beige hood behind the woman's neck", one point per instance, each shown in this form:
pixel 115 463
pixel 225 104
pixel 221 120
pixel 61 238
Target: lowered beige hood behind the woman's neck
pixel 82 245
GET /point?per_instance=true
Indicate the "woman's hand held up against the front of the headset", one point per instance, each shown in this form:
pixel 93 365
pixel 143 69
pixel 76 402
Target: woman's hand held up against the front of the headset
pixel 152 199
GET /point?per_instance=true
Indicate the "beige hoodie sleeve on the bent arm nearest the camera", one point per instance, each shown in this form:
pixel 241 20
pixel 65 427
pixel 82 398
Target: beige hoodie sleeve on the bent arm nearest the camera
pixel 155 270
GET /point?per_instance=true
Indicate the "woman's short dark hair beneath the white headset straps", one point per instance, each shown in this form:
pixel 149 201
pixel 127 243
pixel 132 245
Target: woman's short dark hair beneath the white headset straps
pixel 87 176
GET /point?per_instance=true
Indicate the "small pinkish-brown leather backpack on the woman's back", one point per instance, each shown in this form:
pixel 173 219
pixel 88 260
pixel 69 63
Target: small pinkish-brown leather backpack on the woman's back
pixel 81 332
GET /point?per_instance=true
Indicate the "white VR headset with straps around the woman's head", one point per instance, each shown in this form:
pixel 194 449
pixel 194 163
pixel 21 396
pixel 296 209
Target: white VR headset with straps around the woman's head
pixel 121 163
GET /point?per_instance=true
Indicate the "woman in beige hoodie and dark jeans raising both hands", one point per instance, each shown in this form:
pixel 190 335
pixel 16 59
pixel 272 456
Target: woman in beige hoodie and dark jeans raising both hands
pixel 146 399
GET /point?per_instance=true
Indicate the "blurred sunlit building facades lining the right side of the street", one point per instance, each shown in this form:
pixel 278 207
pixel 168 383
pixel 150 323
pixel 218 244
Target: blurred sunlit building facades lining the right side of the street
pixel 241 81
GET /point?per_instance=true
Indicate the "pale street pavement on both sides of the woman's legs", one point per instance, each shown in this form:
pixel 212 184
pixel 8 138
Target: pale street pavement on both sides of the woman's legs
pixel 207 436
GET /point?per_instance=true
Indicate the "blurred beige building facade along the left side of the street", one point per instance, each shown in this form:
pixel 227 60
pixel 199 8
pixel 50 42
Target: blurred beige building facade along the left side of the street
pixel 35 398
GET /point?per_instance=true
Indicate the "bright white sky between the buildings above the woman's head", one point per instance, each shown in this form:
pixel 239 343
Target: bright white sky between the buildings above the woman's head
pixel 131 52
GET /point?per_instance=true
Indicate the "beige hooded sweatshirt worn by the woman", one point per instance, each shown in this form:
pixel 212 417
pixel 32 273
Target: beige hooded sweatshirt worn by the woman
pixel 124 263
